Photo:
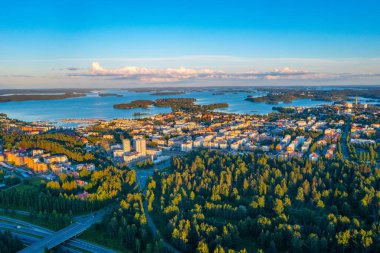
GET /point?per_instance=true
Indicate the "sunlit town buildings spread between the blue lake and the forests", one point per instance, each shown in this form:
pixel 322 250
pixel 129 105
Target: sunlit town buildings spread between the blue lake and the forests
pixel 152 140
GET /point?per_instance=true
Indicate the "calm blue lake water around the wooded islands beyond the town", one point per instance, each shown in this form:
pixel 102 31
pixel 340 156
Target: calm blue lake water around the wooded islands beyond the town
pixel 94 106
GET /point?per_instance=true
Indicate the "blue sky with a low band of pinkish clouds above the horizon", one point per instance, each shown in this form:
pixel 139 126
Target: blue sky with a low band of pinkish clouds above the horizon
pixel 121 44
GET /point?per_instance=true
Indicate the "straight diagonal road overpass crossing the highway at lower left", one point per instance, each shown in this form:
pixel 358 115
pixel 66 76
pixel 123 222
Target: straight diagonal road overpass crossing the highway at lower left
pixel 65 234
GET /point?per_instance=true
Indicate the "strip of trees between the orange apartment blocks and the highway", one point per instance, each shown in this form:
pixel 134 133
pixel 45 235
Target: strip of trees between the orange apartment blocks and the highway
pixel 56 202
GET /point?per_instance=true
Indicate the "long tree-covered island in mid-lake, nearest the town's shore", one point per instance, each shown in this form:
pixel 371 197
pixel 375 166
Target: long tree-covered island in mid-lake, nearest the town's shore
pixel 177 104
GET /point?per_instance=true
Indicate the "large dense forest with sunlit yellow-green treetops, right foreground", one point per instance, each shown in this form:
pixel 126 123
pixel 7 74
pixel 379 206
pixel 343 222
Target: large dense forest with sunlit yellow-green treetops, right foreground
pixel 216 202
